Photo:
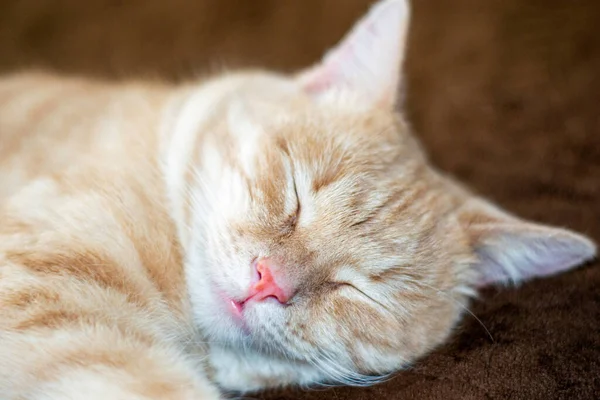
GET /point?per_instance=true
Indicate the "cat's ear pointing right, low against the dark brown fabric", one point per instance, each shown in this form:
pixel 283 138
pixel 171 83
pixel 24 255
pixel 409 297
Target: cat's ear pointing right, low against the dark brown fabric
pixel 511 250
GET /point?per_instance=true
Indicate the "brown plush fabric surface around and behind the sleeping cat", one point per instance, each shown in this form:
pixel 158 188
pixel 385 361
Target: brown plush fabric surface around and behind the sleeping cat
pixel 505 94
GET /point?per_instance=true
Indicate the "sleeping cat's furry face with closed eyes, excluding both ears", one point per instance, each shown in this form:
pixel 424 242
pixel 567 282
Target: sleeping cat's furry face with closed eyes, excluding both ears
pixel 353 223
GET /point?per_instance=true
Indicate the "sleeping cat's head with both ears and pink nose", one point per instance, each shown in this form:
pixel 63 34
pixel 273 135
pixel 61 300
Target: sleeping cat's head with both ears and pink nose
pixel 316 233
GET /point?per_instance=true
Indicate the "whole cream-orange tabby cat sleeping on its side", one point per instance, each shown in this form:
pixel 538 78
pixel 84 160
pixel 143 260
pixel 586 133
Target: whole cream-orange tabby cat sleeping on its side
pixel 248 231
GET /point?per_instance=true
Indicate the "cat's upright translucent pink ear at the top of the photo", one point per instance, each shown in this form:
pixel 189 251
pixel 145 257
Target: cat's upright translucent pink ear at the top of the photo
pixel 368 60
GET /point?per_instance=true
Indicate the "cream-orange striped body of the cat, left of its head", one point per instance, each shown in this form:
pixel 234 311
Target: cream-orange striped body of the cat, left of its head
pixel 75 235
